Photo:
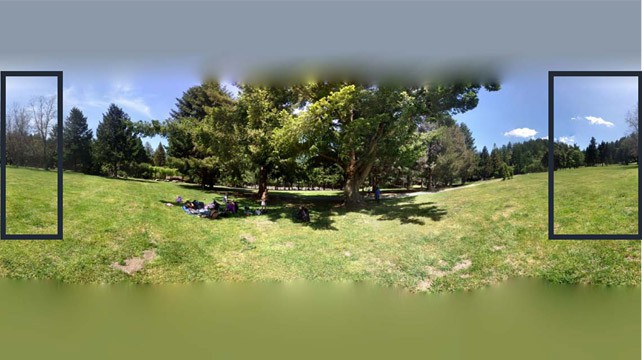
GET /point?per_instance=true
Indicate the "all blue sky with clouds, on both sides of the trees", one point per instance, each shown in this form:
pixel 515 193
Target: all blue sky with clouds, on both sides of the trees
pixel 584 107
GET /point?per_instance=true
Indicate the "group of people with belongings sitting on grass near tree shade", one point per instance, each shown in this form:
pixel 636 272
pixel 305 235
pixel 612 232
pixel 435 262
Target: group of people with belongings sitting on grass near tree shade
pixel 215 209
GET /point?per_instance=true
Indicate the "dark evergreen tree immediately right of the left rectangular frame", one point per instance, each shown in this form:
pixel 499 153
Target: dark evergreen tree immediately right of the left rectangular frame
pixel 77 138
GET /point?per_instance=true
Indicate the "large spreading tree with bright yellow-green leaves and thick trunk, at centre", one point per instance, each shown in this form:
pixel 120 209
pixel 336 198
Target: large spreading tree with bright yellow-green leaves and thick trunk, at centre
pixel 355 125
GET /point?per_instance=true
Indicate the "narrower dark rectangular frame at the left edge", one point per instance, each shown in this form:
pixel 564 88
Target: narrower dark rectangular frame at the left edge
pixel 3 175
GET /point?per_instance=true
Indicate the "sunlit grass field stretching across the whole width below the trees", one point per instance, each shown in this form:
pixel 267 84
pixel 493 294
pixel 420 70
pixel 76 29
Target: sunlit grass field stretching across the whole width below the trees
pixel 461 239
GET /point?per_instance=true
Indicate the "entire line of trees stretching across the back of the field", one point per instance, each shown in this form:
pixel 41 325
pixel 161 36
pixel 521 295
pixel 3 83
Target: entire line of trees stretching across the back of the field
pixel 341 135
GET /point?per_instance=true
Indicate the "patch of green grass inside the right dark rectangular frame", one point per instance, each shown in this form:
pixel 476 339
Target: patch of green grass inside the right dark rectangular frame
pixel 597 200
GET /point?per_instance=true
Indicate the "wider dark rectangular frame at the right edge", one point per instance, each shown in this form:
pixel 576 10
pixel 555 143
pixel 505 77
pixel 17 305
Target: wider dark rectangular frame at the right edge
pixel 551 142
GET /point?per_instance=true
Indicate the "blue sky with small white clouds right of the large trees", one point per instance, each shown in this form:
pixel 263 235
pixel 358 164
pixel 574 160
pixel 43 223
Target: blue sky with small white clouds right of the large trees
pixel 584 107
